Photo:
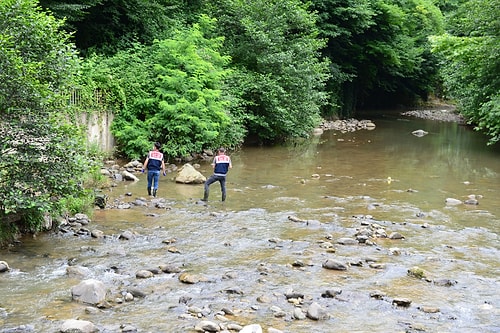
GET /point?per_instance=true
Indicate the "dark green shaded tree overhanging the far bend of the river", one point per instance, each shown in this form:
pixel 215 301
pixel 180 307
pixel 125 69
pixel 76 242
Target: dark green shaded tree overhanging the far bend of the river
pixel 379 51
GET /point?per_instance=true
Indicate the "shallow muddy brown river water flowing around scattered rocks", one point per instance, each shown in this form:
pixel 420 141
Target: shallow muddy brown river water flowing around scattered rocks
pixel 247 247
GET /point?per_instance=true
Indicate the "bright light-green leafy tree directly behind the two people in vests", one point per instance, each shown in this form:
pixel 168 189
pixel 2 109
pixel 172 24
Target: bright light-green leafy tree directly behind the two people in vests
pixel 172 92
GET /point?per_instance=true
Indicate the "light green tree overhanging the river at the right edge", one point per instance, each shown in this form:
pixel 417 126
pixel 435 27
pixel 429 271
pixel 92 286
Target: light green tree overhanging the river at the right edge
pixel 471 51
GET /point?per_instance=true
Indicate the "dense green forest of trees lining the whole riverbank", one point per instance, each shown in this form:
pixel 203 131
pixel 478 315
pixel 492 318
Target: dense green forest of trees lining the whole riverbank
pixel 200 74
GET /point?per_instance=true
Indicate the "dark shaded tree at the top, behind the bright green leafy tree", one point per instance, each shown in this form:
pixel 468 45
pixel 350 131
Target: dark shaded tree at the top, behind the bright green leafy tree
pixel 111 25
